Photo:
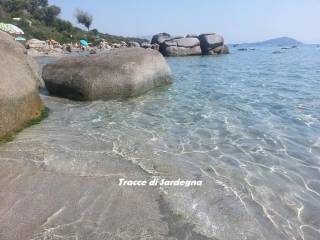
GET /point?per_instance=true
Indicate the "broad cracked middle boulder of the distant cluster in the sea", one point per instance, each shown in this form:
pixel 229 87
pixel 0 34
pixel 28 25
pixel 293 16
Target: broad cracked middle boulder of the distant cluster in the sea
pixel 181 47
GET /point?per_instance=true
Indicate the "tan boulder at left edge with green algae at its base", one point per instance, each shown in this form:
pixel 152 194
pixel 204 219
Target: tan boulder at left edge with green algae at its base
pixel 19 98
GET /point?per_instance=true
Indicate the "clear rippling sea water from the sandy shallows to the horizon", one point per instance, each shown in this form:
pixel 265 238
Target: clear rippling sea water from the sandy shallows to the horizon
pixel 247 124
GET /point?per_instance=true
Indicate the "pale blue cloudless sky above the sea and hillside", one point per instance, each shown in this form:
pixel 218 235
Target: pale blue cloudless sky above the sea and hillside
pixel 238 21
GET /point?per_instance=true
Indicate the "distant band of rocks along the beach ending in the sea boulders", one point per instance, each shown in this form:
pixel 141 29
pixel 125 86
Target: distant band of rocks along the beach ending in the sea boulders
pixel 192 44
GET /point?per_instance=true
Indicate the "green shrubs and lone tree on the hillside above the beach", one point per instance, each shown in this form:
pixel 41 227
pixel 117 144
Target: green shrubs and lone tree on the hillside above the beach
pixel 40 20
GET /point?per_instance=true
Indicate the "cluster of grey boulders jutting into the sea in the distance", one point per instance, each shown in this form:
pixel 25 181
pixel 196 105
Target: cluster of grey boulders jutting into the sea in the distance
pixel 204 44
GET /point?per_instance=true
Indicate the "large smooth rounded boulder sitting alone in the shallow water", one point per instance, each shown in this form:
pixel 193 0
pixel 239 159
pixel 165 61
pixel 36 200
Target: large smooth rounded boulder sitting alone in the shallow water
pixel 119 73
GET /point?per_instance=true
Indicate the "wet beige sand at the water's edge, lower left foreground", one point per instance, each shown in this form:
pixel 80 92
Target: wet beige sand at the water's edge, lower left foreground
pixel 34 172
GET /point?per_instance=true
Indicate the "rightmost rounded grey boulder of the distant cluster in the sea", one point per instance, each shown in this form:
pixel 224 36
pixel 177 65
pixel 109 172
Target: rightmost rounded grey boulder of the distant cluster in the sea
pixel 209 42
